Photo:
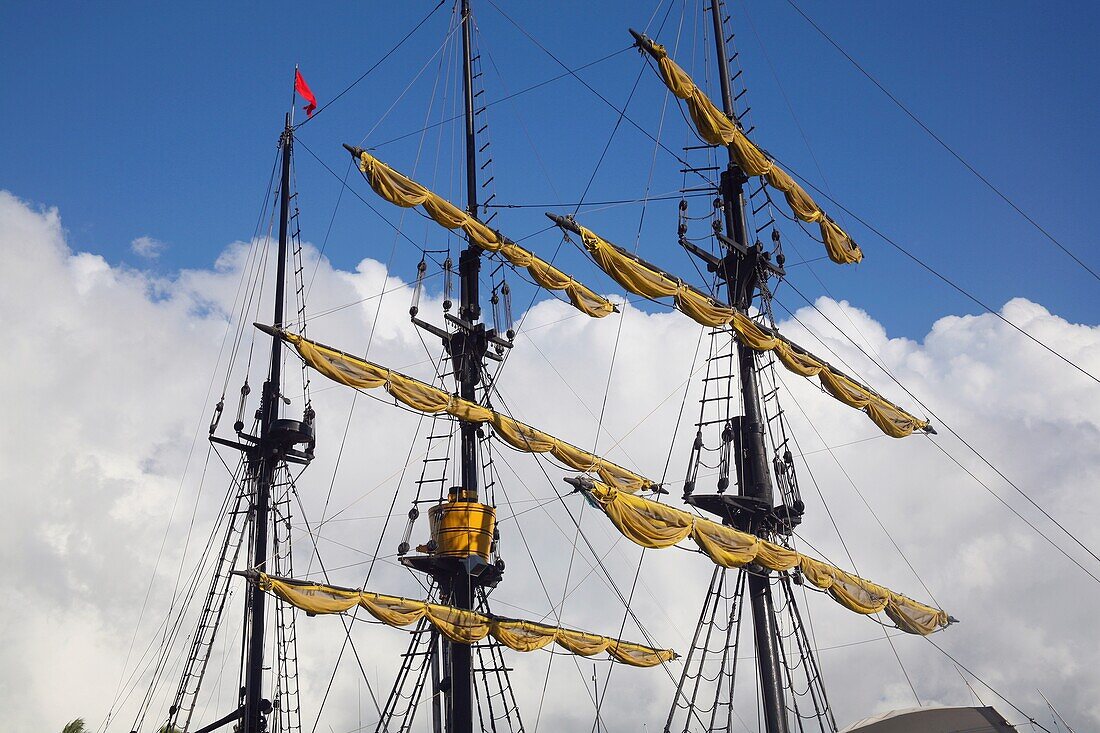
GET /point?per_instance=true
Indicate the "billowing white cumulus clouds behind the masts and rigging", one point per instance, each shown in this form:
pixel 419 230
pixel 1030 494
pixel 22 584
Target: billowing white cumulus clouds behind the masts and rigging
pixel 108 483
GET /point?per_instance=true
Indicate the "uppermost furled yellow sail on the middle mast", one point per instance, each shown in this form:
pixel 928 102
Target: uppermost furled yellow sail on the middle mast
pixel 406 193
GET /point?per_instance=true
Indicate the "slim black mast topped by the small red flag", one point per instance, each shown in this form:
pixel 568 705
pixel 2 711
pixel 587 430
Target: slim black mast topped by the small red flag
pixel 266 460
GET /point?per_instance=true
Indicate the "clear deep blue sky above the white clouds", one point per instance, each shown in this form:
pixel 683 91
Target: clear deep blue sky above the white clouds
pixel 160 122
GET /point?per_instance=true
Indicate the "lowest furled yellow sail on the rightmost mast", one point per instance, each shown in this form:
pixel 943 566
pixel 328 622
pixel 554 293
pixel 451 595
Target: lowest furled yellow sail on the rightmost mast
pixel 655 526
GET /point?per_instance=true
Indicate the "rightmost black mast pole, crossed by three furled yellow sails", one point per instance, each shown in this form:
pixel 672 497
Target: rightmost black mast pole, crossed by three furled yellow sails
pixel 741 272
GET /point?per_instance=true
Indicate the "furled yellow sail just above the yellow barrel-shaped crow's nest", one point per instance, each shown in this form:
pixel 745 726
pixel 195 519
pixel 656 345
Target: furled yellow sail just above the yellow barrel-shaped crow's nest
pixel 356 373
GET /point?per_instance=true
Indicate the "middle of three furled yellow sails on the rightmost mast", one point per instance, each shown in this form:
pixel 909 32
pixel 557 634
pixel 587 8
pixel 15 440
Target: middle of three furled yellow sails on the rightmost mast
pixel 643 279
